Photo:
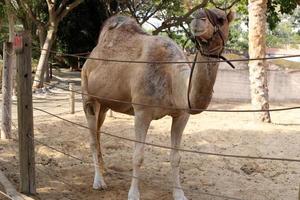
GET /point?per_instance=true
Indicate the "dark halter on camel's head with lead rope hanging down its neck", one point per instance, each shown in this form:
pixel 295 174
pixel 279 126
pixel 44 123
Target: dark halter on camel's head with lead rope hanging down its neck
pixel 213 20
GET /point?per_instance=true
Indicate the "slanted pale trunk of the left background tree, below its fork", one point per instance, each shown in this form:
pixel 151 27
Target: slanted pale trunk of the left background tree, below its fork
pixel 43 61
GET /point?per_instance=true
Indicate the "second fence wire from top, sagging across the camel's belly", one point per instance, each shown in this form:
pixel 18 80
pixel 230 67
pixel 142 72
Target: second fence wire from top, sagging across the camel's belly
pixel 182 109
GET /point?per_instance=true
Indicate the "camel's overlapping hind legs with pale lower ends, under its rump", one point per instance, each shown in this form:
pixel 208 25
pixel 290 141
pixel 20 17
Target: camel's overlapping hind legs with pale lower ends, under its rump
pixel 95 115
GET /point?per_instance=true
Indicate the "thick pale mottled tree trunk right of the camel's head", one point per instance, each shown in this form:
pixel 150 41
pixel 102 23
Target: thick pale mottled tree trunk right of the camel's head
pixel 257 49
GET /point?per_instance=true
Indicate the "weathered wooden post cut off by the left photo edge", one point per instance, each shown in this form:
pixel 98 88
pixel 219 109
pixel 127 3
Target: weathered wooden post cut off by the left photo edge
pixel 6 91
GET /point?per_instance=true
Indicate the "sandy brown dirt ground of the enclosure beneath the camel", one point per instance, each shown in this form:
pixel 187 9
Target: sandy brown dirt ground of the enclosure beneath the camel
pixel 60 177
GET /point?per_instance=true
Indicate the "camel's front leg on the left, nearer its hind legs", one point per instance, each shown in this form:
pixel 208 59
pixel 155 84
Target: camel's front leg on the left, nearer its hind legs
pixel 141 124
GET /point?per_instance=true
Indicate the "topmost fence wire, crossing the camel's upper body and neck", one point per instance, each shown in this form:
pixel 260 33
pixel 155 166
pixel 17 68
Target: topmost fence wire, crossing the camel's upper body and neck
pixel 168 62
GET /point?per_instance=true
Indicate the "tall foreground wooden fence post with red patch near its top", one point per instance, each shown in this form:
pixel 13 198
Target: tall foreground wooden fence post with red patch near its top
pixel 22 45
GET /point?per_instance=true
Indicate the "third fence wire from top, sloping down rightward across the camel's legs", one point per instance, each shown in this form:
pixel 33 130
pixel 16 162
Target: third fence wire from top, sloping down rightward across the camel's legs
pixel 171 148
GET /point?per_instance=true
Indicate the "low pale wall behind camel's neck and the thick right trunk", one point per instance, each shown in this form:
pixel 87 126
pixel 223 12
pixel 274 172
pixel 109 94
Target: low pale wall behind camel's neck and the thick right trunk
pixel 235 85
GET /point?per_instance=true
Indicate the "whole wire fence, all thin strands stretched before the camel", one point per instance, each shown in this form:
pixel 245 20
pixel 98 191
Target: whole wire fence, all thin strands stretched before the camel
pixel 164 107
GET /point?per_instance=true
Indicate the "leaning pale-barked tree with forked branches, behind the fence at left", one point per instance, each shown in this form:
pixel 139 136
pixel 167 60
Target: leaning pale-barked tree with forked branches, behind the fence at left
pixel 47 25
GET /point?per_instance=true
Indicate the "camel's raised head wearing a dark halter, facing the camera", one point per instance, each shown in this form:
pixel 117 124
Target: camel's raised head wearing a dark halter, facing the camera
pixel 210 28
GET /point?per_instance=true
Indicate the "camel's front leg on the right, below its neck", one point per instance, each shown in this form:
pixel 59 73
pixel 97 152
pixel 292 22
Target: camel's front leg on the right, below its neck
pixel 178 125
